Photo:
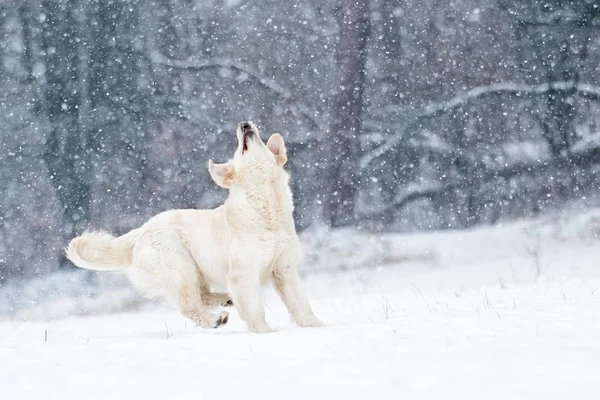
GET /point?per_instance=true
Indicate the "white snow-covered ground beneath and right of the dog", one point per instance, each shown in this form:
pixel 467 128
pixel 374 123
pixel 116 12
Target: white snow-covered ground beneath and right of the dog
pixel 508 312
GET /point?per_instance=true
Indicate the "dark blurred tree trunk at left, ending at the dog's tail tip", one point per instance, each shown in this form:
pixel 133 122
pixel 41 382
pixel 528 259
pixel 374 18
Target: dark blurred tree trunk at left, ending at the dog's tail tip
pixel 66 153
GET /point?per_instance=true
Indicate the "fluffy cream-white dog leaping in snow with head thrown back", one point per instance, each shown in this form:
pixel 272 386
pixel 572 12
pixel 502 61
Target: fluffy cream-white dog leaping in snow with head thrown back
pixel 246 242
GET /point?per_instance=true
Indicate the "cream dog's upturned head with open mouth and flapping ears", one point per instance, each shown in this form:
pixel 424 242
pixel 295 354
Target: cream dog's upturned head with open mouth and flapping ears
pixel 253 160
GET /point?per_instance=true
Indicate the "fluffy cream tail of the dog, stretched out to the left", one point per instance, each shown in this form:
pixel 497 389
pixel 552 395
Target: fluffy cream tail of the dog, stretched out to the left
pixel 101 251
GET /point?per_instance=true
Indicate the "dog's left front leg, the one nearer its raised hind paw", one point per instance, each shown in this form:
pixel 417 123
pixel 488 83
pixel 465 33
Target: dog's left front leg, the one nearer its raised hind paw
pixel 243 284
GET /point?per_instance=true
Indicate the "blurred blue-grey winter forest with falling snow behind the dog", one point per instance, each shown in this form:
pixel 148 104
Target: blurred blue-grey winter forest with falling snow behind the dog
pixel 398 115
